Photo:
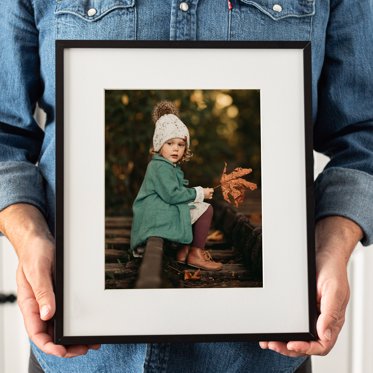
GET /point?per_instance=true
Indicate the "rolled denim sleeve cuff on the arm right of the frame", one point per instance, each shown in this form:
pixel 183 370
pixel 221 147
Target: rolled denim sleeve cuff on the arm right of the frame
pixel 348 193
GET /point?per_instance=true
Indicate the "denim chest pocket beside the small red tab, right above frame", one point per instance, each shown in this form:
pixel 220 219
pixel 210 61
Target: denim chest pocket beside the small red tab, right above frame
pixel 272 20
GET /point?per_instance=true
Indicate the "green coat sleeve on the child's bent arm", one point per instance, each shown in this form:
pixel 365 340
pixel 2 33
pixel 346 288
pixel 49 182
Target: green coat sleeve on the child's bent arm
pixel 167 186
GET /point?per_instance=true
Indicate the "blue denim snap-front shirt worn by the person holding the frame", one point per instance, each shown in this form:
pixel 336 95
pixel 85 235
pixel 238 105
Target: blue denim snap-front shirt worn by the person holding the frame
pixel 342 63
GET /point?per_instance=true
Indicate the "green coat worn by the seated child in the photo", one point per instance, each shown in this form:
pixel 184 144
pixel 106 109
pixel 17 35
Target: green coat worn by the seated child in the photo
pixel 161 207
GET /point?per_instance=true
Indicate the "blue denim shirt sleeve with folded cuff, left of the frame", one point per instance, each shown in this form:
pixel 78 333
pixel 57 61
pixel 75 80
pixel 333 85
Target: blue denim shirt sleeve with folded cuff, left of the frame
pixel 20 88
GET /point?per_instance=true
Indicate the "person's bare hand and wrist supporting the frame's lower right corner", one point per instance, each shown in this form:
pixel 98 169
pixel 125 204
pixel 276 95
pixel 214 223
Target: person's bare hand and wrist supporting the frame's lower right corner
pixel 336 238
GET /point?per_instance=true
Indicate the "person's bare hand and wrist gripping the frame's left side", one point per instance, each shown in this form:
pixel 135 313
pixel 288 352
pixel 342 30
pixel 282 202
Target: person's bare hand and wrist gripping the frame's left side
pixel 26 229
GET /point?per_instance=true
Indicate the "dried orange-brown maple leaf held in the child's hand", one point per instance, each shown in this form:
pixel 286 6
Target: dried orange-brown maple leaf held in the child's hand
pixel 233 186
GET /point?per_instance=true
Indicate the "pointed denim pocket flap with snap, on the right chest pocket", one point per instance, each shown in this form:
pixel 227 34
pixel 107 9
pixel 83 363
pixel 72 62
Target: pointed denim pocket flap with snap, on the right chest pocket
pixel 283 9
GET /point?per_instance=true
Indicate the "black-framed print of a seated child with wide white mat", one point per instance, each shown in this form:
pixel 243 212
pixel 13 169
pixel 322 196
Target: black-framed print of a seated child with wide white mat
pixel 184 192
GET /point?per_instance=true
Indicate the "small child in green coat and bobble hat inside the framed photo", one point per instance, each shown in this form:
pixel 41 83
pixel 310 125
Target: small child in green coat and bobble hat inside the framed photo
pixel 165 206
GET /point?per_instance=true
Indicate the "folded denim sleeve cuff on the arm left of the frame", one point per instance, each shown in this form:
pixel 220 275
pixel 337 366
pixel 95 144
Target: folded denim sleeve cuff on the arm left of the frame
pixel 21 182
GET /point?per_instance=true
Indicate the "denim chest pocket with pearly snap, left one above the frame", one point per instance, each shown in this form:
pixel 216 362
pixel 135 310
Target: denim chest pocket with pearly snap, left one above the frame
pixel 95 19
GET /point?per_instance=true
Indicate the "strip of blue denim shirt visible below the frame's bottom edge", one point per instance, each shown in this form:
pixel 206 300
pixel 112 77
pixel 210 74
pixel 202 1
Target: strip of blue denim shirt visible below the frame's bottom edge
pixel 173 358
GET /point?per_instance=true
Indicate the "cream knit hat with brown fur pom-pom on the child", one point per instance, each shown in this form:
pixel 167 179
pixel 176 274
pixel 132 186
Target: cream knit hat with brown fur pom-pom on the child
pixel 168 125
